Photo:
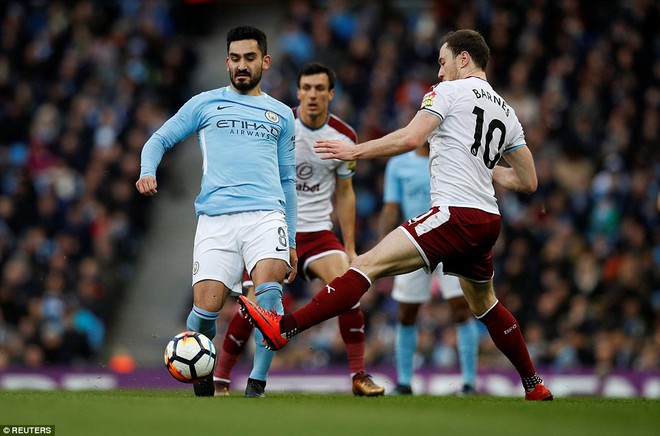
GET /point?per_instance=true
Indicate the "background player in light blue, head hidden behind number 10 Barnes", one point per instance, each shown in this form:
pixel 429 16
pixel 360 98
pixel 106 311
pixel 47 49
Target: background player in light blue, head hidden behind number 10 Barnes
pixel 407 192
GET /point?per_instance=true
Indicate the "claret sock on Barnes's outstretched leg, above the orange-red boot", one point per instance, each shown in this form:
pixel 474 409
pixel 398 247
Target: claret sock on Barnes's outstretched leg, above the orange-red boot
pixel 336 297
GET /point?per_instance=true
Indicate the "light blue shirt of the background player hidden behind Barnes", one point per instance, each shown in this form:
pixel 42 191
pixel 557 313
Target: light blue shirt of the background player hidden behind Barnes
pixel 408 182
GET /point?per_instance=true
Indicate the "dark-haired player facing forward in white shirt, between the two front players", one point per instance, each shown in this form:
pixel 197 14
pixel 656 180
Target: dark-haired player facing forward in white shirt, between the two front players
pixel 320 253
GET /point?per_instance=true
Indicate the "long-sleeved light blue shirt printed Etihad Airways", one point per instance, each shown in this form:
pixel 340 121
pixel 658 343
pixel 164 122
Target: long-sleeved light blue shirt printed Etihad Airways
pixel 248 152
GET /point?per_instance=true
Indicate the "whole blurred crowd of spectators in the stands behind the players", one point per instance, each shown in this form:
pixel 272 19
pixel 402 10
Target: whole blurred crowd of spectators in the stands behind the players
pixel 83 84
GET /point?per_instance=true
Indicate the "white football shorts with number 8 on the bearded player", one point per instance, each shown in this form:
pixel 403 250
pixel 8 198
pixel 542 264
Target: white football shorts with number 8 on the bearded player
pixel 227 245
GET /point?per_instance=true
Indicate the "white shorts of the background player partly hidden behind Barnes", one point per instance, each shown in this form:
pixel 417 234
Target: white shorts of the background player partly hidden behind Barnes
pixel 415 287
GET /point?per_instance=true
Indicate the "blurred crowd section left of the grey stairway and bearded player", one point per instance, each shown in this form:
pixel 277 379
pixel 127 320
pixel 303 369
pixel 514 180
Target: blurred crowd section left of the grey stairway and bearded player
pixel 82 86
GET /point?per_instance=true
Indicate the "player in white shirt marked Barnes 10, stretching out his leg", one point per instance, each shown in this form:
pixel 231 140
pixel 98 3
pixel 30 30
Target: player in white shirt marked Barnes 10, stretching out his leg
pixel 469 128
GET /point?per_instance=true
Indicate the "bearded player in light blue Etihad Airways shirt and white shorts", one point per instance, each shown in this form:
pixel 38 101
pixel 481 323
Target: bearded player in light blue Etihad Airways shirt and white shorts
pixel 247 205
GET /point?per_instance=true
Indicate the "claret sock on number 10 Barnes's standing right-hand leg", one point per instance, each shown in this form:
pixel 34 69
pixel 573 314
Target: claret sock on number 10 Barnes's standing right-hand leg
pixel 505 332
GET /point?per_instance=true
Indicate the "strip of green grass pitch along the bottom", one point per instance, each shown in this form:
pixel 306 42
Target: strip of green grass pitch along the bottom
pixel 178 412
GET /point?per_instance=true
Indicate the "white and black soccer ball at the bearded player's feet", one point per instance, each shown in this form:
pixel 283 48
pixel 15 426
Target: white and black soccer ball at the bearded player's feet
pixel 190 356
